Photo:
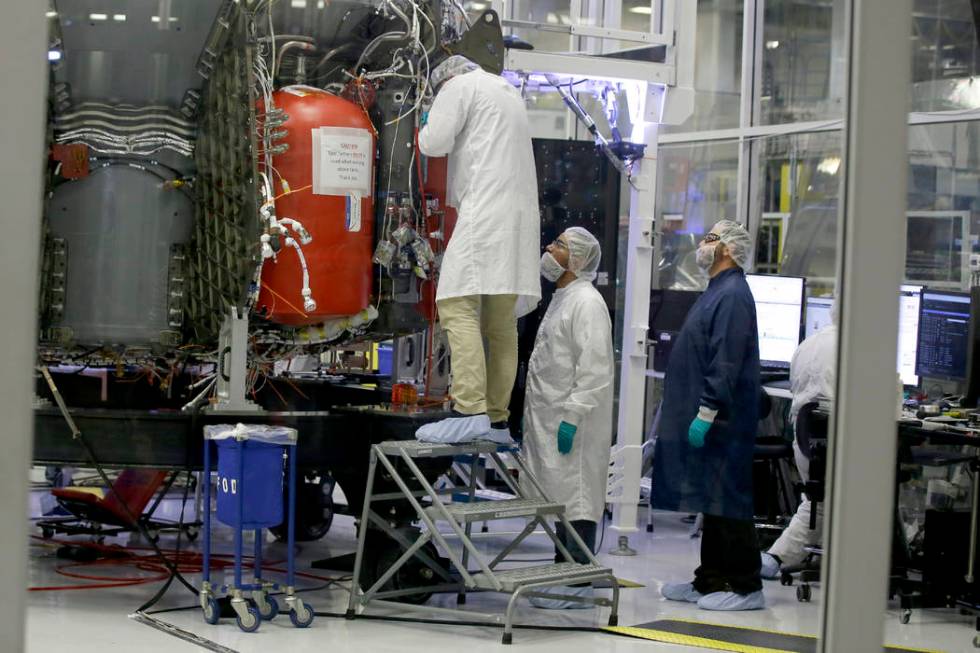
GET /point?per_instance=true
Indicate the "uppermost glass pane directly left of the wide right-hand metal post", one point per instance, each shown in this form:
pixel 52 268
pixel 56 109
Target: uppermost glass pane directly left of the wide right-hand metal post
pixel 802 60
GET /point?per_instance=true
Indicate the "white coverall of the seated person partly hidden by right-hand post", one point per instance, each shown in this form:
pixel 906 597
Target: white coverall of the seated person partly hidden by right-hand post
pixel 812 378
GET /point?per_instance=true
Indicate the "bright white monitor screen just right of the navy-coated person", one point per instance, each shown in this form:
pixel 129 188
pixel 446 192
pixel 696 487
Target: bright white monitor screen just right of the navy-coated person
pixel 779 311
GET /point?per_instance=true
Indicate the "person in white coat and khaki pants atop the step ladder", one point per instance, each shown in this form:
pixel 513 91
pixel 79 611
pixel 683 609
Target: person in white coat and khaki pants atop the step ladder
pixel 489 274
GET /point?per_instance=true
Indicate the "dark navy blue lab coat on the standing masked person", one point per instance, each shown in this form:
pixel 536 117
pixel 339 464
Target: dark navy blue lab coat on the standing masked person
pixel 714 363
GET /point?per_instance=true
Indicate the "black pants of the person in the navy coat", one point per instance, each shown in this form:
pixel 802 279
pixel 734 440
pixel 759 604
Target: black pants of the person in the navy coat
pixel 729 557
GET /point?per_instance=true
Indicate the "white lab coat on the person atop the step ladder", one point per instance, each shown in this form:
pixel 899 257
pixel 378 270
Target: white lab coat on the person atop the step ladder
pixel 479 120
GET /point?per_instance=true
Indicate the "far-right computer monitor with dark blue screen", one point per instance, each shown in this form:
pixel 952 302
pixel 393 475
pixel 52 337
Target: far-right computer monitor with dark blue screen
pixel 944 335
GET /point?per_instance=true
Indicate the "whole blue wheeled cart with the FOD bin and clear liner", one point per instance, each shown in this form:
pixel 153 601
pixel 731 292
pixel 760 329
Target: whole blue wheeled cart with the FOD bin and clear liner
pixel 249 497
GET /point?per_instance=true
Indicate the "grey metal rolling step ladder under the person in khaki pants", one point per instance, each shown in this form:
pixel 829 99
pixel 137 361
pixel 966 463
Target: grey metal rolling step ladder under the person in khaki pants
pixel 432 506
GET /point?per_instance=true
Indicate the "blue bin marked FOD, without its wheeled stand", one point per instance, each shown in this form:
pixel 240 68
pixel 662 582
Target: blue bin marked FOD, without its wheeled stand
pixel 262 480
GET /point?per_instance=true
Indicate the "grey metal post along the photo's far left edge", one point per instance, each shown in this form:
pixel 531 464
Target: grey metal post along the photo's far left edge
pixel 22 67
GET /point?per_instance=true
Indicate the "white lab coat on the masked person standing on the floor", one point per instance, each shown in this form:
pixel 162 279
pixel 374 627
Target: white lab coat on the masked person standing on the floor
pixel 570 378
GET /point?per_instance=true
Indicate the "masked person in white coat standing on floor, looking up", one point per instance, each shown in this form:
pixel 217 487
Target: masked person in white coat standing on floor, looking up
pixel 569 400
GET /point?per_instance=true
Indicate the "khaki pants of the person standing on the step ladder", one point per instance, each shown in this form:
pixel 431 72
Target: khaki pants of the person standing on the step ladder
pixel 482 378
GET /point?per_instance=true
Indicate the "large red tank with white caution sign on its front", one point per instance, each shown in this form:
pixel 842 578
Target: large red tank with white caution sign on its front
pixel 329 169
